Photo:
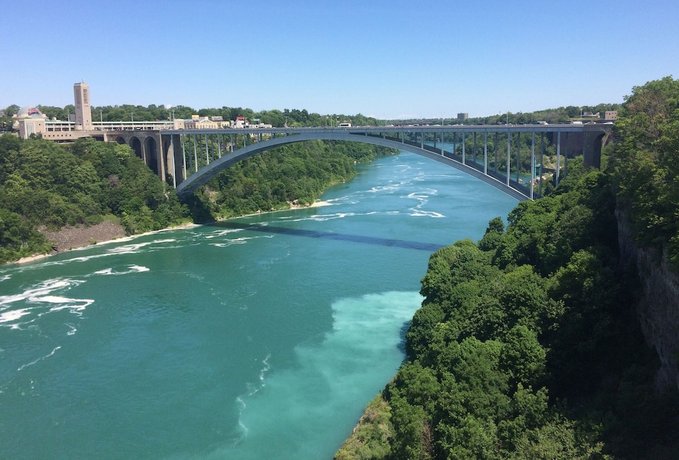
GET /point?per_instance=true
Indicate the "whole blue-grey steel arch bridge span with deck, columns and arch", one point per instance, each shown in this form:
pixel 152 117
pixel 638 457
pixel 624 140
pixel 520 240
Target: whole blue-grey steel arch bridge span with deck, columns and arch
pixel 433 142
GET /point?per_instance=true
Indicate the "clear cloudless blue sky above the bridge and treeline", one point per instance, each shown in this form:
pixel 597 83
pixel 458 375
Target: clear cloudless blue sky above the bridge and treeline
pixel 388 59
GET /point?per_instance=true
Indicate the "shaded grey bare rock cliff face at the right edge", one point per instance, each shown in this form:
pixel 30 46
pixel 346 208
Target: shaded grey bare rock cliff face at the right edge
pixel 658 305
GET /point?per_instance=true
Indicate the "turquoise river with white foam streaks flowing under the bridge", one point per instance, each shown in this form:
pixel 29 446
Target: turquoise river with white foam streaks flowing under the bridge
pixel 257 338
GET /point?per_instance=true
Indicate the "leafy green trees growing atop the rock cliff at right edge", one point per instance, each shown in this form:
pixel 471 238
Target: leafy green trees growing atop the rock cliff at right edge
pixel 646 164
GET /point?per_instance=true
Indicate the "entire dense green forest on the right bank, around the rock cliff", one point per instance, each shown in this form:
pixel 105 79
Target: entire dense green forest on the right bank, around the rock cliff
pixel 527 344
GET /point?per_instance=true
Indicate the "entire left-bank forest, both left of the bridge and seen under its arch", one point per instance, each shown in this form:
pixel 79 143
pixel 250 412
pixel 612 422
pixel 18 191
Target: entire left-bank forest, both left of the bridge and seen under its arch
pixel 46 186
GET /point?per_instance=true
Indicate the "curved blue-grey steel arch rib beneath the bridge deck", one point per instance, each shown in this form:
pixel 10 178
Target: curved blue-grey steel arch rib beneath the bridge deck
pixel 205 174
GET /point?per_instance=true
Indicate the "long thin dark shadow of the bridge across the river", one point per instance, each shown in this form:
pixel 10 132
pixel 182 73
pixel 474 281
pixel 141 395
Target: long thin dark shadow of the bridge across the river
pixel 388 242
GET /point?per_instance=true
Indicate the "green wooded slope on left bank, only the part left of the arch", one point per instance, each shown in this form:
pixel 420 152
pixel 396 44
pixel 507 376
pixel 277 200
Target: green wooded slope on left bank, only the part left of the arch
pixel 46 185
